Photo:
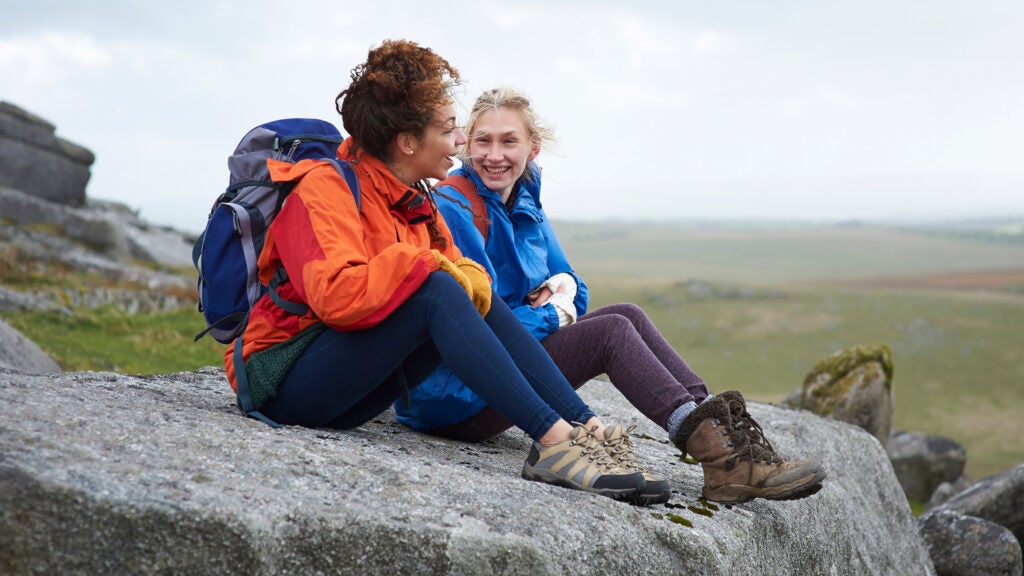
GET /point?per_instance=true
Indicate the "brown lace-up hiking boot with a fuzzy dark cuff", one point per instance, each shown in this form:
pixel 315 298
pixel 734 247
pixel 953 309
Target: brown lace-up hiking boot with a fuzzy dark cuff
pixel 739 463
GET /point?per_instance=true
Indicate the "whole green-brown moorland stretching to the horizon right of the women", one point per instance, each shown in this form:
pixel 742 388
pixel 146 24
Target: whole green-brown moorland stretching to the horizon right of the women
pixel 755 310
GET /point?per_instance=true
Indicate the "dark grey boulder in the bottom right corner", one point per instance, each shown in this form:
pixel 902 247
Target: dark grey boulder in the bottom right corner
pixel 964 546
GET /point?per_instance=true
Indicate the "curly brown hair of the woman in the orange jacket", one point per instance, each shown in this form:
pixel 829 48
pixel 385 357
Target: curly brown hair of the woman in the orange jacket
pixel 396 91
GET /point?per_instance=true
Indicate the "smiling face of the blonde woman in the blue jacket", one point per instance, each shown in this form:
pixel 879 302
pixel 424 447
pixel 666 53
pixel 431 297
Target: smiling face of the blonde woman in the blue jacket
pixel 500 147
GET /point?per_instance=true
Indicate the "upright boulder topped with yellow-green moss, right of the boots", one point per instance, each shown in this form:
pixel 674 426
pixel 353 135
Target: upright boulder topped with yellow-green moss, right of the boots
pixel 852 386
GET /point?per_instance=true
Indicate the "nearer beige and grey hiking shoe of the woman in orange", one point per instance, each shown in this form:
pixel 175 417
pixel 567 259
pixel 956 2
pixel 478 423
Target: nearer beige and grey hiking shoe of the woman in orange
pixel 581 464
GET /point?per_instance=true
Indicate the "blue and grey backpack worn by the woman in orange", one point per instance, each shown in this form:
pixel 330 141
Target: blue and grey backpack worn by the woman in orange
pixel 227 253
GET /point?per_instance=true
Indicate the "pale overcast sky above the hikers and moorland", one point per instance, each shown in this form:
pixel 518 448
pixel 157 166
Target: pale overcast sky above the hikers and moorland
pixel 663 110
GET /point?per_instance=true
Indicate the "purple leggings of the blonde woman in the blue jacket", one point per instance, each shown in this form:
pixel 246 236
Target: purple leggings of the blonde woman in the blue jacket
pixel 619 341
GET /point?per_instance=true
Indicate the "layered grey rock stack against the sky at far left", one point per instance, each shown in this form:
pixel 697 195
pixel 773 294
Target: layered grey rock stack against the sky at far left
pixel 35 160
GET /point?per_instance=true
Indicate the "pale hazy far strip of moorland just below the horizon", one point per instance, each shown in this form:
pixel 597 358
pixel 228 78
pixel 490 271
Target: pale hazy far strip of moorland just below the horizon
pixel 772 257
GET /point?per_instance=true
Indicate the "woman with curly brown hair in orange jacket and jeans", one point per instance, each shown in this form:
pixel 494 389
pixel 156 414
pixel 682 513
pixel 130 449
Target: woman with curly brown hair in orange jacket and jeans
pixel 392 297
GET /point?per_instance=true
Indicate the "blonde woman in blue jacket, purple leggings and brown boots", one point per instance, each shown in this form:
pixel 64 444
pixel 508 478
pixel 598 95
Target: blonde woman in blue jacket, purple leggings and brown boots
pixel 534 277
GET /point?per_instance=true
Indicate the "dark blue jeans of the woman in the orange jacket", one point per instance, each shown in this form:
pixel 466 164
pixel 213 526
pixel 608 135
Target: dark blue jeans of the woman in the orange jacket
pixel 345 380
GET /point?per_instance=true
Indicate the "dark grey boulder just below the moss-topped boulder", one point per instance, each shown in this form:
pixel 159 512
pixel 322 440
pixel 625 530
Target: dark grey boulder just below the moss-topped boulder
pixel 923 463
